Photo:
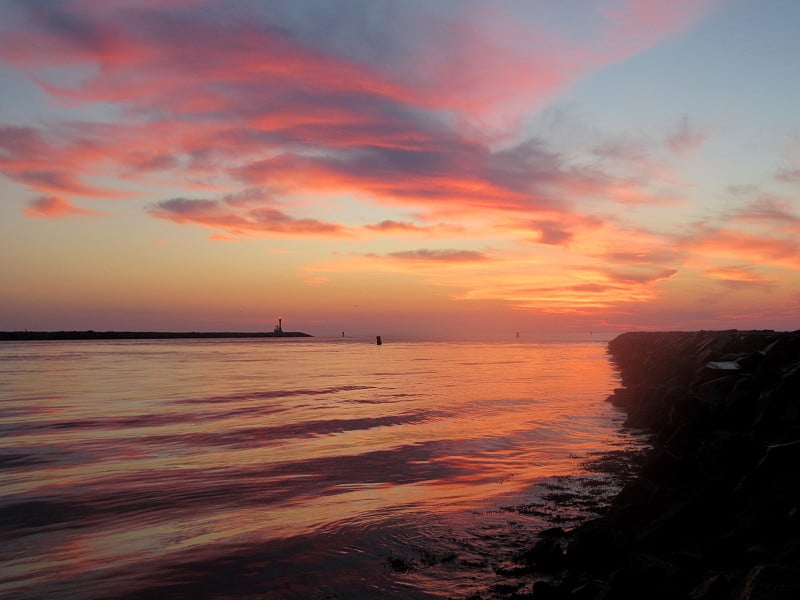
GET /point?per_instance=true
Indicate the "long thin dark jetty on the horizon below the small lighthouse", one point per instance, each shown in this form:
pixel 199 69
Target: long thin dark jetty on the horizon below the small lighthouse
pixel 140 335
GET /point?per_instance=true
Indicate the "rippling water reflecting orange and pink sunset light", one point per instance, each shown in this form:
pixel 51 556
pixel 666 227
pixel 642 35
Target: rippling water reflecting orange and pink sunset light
pixel 287 468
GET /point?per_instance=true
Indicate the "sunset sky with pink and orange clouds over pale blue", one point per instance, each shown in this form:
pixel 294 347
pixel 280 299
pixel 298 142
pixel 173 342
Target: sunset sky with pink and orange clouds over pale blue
pixel 446 167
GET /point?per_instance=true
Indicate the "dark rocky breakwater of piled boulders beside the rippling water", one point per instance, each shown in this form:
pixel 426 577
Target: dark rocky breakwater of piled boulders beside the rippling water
pixel 715 512
